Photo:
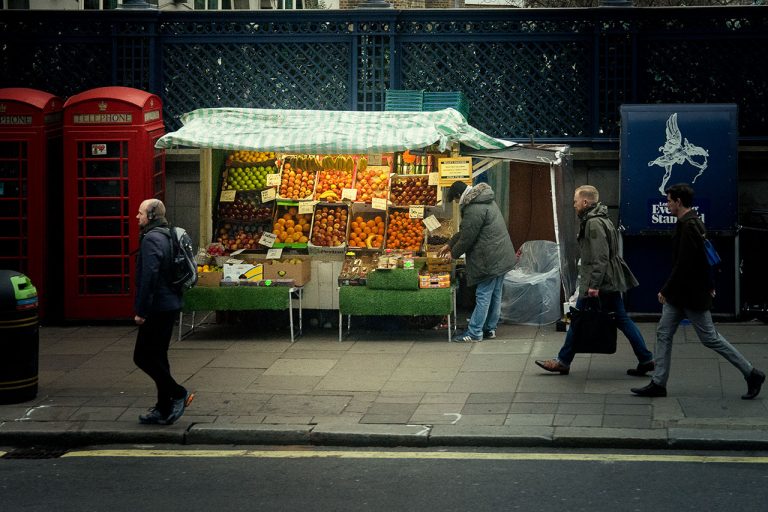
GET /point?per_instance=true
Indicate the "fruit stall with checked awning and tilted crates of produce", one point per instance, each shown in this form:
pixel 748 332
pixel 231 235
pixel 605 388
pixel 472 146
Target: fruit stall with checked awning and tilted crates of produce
pixel 369 183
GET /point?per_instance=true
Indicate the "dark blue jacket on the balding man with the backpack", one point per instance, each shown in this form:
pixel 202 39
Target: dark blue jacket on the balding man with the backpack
pixel 153 293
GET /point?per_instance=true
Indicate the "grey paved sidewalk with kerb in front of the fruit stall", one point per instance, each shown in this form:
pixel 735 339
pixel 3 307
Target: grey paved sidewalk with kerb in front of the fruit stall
pixel 387 387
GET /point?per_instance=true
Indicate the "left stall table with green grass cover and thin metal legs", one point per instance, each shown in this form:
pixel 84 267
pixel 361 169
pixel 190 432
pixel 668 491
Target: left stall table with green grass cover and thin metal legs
pixel 239 298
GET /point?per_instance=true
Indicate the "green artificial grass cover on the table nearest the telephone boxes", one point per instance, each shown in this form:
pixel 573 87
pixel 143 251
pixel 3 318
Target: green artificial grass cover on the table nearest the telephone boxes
pixel 236 298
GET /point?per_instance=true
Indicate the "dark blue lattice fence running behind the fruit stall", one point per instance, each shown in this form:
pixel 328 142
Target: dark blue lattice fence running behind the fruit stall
pixel 555 75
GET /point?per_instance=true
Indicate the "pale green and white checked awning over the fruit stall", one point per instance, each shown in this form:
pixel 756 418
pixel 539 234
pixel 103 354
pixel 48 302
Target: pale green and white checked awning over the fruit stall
pixel 324 131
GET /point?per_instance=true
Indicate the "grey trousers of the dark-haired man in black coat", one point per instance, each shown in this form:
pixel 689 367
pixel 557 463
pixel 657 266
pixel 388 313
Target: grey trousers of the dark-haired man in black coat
pixel 671 316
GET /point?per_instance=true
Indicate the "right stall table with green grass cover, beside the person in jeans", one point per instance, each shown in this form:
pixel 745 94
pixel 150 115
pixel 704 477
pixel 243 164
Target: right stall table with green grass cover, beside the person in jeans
pixel 363 301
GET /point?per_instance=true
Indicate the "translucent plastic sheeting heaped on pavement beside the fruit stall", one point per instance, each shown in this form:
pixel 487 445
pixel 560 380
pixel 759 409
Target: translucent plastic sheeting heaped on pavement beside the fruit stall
pixel 531 293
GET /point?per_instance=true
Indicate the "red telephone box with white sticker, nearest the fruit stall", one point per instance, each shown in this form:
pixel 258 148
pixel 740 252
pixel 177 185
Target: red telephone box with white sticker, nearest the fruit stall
pixel 110 166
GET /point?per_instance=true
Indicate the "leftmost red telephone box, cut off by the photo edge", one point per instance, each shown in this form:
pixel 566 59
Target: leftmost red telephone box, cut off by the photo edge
pixel 30 156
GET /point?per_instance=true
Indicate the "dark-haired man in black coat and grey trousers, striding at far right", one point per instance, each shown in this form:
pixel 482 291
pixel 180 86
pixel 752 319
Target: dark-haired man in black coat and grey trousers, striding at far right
pixel 688 293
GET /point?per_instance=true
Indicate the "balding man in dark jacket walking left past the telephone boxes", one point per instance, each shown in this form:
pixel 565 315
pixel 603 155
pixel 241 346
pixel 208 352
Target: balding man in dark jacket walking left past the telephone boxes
pixel 157 305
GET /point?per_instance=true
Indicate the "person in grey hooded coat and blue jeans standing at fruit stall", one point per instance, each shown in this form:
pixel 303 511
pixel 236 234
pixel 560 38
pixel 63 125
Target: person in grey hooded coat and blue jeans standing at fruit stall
pixel 484 240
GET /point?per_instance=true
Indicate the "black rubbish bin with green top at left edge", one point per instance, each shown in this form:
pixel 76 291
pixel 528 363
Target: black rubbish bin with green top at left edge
pixel 19 338
